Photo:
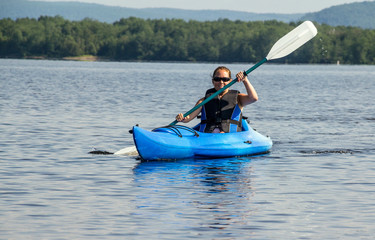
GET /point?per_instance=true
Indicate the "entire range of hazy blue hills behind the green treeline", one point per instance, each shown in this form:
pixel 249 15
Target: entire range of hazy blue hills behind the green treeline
pixel 360 14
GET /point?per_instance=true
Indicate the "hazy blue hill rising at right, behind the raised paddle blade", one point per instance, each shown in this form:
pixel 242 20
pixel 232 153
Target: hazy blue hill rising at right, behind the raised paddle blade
pixel 355 14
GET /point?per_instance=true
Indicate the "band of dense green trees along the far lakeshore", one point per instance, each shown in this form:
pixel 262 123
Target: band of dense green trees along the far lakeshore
pixel 178 40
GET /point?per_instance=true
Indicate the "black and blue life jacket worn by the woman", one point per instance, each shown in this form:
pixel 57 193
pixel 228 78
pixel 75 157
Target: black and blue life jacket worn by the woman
pixel 223 113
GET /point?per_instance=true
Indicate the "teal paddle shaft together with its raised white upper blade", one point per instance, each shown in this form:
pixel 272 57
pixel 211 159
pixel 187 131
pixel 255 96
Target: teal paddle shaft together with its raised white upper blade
pixel 283 47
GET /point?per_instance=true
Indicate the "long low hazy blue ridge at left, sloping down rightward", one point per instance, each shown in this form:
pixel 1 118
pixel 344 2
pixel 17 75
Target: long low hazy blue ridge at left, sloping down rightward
pixel 76 11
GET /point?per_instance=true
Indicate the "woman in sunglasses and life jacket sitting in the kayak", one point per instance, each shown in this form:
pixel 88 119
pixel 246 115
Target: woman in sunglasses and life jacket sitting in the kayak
pixel 223 113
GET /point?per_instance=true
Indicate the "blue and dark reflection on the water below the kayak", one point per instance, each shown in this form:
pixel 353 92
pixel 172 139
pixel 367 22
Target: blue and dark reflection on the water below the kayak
pixel 209 194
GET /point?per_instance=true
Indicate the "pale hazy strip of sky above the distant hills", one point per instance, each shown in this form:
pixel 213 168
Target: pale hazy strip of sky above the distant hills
pixel 258 6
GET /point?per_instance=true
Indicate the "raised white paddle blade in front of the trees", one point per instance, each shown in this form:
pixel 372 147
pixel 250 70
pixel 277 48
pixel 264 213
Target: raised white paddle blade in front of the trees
pixel 293 40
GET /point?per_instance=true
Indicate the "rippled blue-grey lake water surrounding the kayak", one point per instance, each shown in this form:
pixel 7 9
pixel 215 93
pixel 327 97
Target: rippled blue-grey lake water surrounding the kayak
pixel 318 182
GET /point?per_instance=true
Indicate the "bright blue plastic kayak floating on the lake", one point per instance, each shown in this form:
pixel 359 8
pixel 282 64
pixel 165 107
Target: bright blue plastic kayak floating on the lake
pixel 179 142
